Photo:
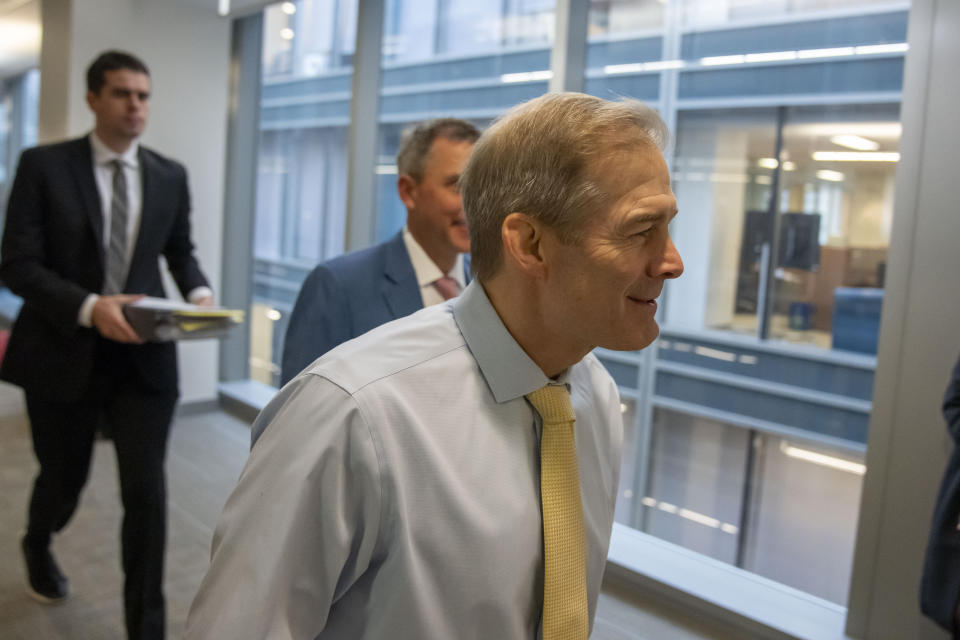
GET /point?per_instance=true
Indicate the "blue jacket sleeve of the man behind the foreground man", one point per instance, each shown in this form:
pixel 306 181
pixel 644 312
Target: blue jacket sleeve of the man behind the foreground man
pixel 320 320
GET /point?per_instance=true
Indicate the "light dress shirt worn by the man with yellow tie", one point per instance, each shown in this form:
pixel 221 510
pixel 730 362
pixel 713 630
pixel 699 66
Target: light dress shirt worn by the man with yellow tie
pixel 393 490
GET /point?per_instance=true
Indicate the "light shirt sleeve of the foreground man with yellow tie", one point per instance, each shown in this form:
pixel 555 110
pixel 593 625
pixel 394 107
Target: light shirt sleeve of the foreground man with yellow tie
pixel 302 524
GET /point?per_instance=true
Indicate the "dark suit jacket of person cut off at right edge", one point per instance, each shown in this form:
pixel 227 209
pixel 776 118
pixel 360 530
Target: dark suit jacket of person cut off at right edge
pixel 940 588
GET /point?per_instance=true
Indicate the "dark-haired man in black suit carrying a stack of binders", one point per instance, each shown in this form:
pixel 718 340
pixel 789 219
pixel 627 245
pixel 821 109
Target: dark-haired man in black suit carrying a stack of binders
pixel 87 221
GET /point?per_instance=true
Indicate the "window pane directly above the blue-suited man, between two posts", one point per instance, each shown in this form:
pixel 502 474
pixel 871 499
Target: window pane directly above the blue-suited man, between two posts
pixel 459 59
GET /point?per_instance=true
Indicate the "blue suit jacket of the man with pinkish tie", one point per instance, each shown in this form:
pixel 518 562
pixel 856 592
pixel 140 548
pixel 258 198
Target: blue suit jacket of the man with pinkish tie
pixel 346 297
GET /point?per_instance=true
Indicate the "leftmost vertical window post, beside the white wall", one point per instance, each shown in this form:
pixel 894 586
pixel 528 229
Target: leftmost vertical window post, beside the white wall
pixel 240 187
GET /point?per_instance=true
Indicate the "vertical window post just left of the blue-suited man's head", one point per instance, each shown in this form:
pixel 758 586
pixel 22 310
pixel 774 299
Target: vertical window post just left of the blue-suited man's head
pixel 364 115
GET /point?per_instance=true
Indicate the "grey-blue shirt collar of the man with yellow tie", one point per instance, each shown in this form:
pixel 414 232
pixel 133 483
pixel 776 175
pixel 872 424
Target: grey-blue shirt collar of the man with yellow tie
pixel 507 369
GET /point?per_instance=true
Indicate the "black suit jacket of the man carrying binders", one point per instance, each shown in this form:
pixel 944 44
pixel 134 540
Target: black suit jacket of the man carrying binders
pixel 53 257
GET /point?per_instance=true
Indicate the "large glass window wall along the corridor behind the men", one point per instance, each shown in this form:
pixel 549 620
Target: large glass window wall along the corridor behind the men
pixel 746 422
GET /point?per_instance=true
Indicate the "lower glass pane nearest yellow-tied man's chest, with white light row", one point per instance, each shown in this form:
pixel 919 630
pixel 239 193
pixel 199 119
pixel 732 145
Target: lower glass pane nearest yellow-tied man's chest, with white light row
pixel 697 471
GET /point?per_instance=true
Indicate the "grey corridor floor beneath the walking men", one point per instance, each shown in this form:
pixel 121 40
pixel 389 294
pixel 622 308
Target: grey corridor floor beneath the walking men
pixel 207 452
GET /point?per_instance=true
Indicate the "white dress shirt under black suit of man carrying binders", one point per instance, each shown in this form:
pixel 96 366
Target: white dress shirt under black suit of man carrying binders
pixel 103 156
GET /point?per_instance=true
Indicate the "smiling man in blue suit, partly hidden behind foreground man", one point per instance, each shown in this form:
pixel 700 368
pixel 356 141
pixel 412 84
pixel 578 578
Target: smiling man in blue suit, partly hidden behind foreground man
pixel 423 264
